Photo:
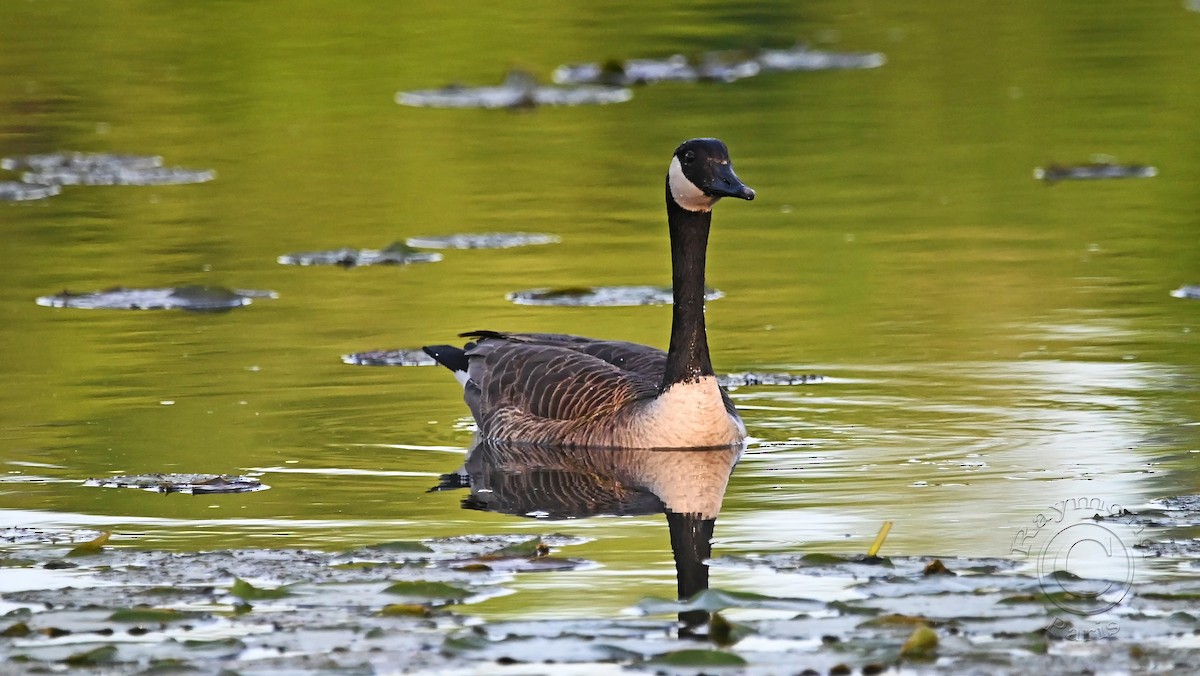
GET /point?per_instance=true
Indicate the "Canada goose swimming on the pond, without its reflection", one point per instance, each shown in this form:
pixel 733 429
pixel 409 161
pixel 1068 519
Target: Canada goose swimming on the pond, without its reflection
pixel 578 392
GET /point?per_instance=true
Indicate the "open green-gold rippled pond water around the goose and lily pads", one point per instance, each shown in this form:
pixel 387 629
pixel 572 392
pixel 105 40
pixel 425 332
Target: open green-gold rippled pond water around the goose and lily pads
pixel 991 344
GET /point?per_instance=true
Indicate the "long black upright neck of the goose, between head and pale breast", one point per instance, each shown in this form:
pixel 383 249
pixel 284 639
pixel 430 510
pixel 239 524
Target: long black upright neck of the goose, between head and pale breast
pixel 688 356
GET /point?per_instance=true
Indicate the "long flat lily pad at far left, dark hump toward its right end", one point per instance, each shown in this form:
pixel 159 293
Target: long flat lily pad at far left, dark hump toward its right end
pixel 194 298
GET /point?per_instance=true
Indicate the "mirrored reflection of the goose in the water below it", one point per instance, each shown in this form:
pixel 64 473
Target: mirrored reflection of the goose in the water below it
pixel 559 483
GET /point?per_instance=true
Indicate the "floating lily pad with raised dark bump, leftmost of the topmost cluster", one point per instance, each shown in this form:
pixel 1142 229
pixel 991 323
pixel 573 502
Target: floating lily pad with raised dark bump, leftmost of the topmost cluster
pixel 519 91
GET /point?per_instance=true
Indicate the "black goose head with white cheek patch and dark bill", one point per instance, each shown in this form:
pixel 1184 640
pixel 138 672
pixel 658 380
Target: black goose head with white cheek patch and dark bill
pixel 701 174
